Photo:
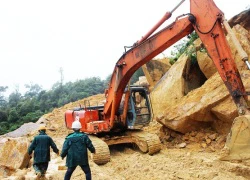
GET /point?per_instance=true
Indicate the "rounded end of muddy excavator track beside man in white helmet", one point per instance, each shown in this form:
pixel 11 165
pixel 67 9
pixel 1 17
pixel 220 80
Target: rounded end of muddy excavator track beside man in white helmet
pixel 102 154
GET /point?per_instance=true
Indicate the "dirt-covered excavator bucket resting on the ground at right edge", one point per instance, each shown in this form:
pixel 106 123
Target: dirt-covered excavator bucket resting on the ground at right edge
pixel 237 146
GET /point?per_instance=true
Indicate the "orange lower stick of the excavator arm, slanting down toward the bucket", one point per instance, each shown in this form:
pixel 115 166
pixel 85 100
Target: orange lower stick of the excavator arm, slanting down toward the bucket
pixel 208 23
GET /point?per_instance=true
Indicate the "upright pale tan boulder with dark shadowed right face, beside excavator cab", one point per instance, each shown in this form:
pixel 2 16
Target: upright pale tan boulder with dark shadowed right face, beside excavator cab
pixel 181 78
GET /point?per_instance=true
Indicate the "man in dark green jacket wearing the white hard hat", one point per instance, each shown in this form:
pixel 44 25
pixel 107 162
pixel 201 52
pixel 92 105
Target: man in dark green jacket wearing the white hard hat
pixel 75 148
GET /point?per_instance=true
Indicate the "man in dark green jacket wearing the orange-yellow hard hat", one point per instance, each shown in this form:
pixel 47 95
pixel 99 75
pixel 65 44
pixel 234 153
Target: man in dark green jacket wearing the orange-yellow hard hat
pixel 41 147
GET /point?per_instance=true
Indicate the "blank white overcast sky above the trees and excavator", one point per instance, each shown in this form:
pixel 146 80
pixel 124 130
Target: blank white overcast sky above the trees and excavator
pixel 85 38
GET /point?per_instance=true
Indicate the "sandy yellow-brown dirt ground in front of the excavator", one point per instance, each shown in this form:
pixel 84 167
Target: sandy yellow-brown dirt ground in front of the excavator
pixel 182 157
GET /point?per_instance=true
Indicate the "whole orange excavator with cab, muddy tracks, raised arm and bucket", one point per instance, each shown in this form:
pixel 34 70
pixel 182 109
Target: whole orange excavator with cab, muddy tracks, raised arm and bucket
pixel 127 108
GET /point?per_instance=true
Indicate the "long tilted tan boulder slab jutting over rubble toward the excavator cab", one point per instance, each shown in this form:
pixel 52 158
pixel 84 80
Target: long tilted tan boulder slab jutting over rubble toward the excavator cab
pixel 193 110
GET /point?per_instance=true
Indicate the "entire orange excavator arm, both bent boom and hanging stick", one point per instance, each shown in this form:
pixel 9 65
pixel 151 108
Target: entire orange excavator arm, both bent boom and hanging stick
pixel 207 20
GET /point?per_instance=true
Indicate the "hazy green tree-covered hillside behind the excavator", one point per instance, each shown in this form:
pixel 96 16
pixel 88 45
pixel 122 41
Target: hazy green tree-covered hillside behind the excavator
pixel 18 109
